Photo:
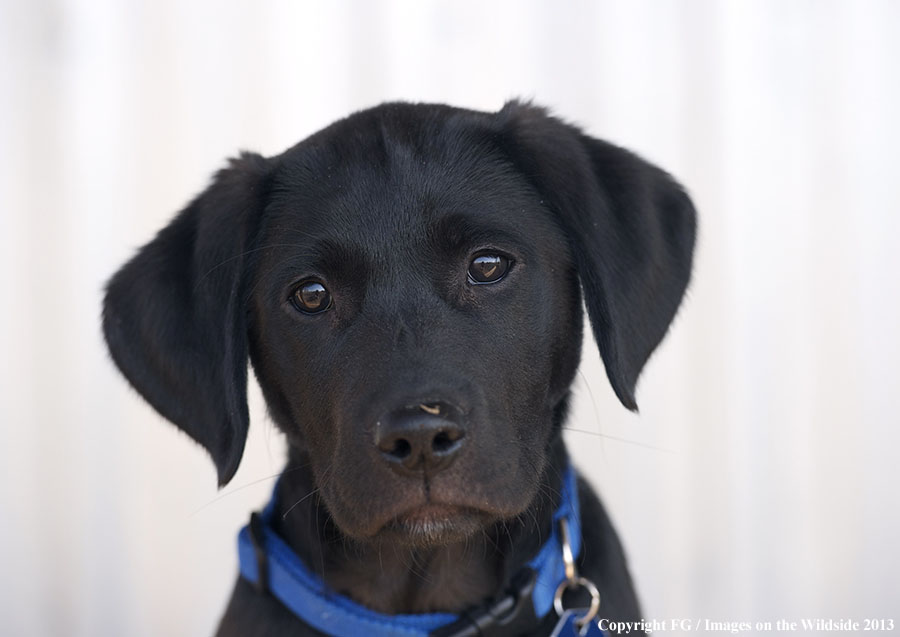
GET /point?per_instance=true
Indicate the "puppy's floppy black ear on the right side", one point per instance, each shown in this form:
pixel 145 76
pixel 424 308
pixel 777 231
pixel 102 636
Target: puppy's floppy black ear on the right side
pixel 630 225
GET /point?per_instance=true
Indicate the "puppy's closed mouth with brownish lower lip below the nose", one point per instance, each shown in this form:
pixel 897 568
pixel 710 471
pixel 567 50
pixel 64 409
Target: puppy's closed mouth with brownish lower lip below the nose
pixel 434 524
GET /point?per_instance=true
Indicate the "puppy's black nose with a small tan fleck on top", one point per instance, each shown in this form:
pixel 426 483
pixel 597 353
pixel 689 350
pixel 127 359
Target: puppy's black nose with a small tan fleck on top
pixel 426 437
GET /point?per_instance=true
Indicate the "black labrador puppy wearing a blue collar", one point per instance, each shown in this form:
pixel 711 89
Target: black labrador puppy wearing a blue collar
pixel 407 284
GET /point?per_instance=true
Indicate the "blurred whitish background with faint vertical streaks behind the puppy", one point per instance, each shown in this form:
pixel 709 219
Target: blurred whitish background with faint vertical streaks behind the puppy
pixel 760 479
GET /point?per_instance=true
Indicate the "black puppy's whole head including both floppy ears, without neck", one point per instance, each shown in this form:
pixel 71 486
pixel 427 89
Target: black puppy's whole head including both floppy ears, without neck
pixel 407 286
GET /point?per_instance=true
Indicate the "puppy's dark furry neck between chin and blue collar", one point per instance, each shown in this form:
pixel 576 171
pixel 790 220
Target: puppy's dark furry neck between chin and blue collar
pixel 395 579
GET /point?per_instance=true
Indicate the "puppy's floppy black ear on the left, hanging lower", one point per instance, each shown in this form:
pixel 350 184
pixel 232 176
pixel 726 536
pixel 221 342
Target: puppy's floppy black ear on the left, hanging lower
pixel 174 316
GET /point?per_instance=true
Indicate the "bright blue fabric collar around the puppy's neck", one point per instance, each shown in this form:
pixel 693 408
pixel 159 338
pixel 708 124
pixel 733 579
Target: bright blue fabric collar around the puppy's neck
pixel 305 594
